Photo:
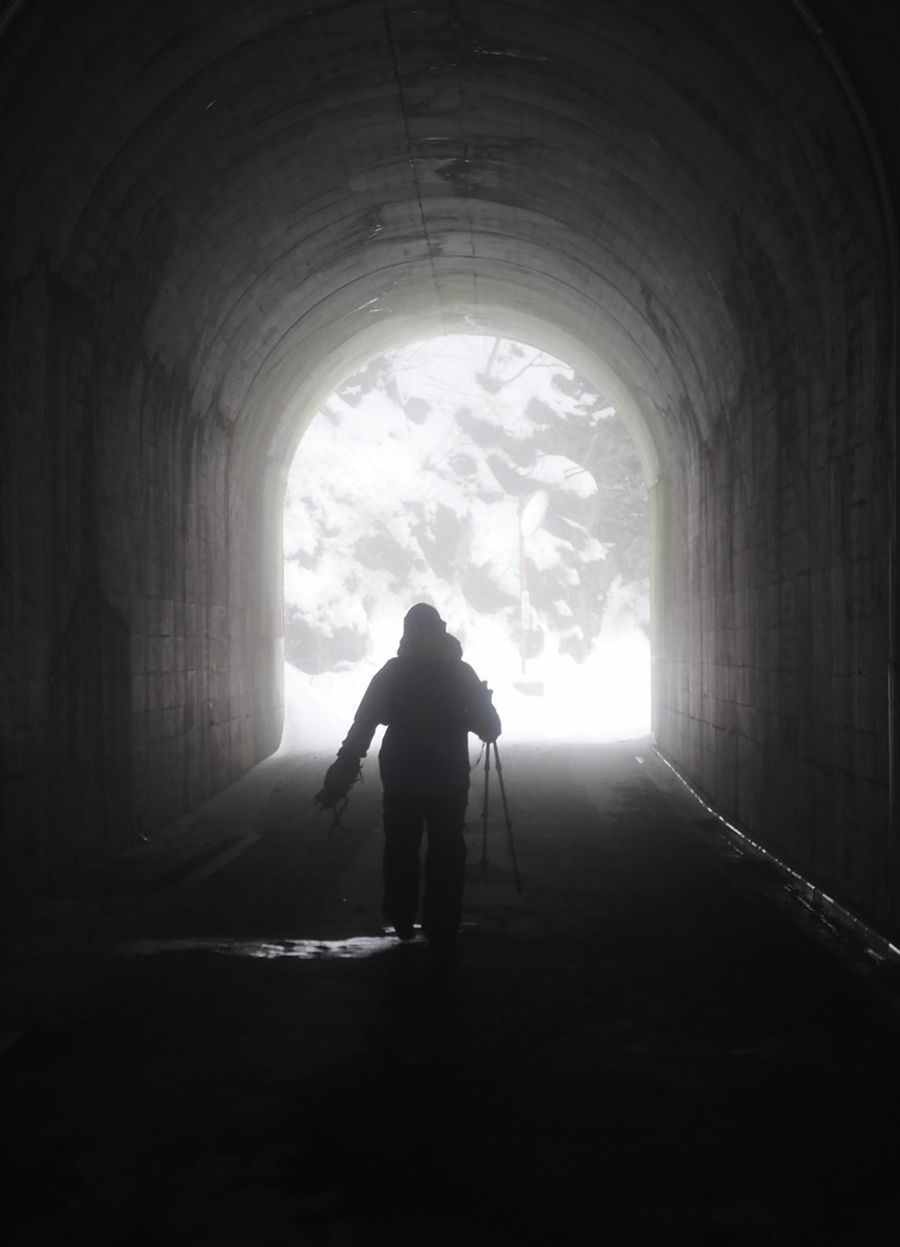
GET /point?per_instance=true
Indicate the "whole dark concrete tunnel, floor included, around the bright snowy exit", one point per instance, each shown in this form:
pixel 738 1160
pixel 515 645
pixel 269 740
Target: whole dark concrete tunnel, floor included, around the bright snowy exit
pixel 675 1011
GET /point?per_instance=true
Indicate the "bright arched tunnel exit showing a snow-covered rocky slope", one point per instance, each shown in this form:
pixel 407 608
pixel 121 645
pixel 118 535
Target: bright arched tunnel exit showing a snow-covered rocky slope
pixel 491 479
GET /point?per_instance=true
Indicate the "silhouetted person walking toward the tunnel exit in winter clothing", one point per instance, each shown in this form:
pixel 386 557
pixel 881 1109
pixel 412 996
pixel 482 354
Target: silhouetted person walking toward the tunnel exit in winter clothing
pixel 431 701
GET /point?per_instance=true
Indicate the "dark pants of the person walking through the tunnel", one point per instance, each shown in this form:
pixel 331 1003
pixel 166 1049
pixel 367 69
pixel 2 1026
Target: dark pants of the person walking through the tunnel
pixel 446 861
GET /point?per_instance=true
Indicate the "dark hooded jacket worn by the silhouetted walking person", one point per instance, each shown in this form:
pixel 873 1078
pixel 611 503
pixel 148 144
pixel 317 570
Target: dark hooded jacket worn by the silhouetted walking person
pixel 431 700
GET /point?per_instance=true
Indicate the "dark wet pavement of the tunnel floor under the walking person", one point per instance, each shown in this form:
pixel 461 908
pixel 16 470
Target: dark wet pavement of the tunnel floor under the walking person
pixel 214 1039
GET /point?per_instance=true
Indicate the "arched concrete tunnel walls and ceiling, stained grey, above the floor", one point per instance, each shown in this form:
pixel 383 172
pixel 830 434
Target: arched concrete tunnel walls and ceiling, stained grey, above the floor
pixel 211 209
